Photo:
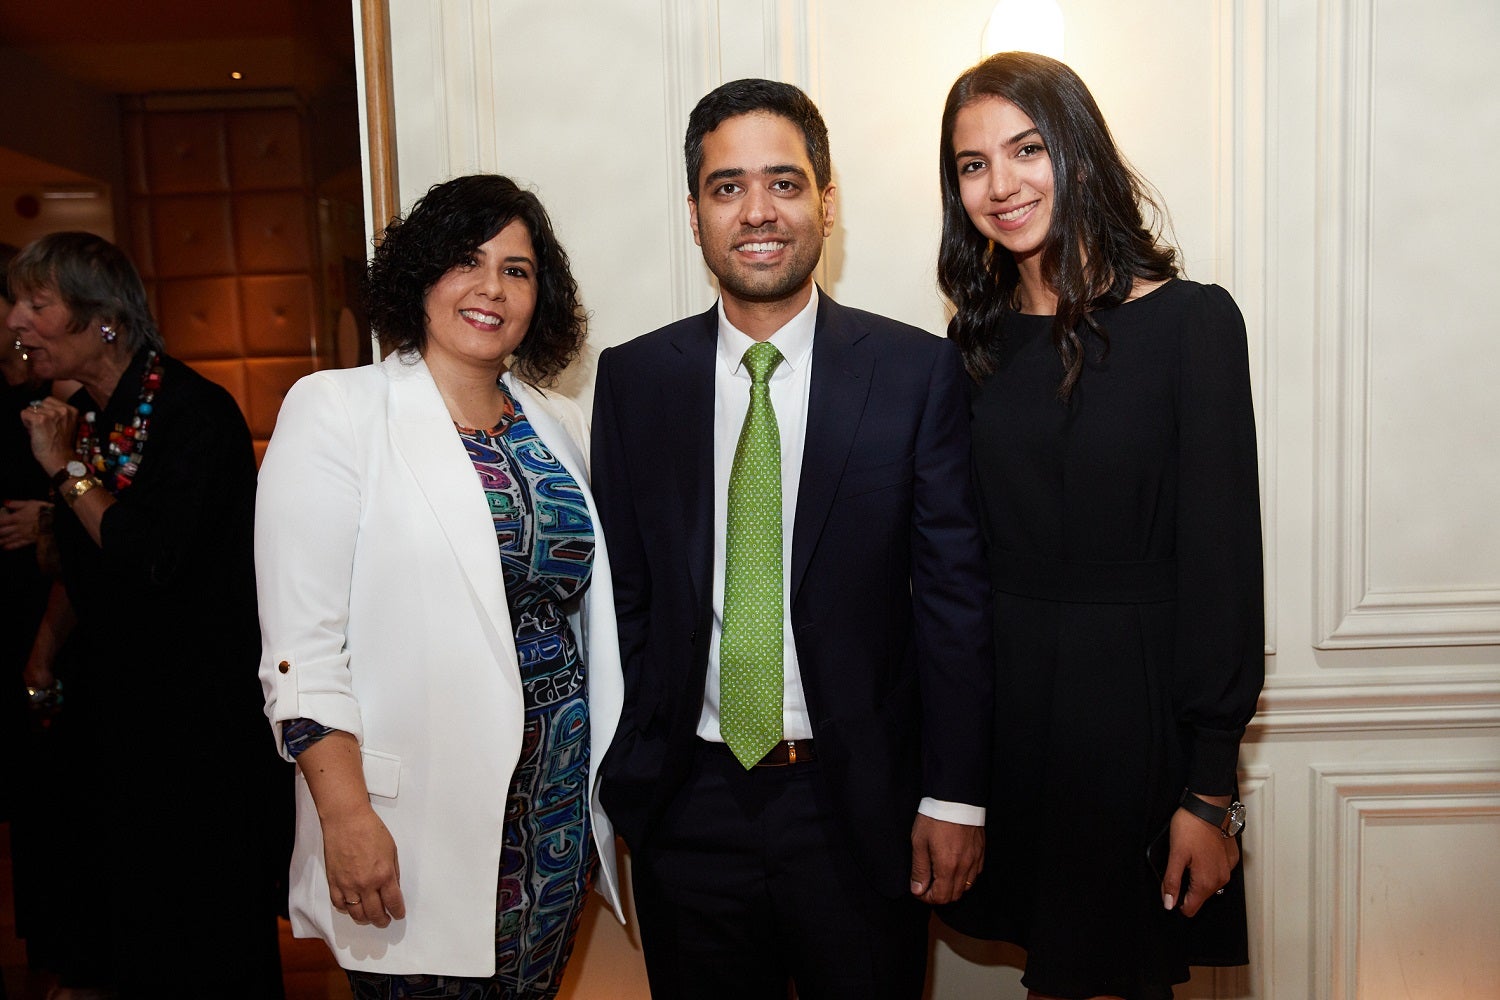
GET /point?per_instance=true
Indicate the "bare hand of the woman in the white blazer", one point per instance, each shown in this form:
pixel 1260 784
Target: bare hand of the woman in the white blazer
pixel 364 872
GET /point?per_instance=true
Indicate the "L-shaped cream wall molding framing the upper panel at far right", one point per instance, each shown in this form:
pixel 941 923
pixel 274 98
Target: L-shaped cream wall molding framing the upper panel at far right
pixel 1351 612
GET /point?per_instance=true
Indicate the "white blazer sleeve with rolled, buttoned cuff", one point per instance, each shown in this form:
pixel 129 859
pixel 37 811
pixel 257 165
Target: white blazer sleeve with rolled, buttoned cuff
pixel 307 528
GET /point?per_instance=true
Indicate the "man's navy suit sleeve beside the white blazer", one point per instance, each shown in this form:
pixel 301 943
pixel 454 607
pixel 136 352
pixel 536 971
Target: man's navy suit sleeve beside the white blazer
pixel 616 501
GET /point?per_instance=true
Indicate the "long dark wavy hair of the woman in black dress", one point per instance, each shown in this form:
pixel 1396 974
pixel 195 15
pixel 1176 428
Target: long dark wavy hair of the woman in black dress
pixel 1099 244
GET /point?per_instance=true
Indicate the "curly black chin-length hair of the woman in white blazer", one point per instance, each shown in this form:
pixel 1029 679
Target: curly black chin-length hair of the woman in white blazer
pixel 443 229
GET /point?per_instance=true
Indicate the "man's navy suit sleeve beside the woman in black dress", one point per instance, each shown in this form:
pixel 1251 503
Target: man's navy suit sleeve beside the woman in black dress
pixel 950 594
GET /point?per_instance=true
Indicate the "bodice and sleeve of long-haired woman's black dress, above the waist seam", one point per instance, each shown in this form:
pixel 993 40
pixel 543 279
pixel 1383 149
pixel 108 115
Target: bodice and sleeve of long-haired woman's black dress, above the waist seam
pixel 1153 460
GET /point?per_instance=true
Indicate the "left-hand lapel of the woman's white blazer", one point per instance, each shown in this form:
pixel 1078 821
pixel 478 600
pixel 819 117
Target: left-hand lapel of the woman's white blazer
pixel 424 436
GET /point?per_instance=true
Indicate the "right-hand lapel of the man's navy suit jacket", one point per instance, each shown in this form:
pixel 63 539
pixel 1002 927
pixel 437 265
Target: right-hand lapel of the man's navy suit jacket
pixel 835 407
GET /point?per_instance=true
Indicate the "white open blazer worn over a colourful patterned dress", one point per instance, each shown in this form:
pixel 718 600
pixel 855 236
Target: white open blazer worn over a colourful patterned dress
pixel 383 614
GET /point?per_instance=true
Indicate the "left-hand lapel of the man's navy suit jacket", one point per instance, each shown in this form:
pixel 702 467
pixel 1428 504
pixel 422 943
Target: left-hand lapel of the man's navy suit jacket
pixel 688 410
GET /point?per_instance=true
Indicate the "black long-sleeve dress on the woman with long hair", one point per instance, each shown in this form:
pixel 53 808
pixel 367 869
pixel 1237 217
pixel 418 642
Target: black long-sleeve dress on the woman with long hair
pixel 1124 536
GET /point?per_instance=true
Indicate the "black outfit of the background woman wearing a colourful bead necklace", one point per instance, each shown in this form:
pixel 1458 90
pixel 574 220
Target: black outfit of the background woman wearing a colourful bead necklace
pixel 182 809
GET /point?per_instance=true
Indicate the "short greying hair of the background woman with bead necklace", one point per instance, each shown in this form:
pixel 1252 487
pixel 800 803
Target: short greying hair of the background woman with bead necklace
pixel 94 278
